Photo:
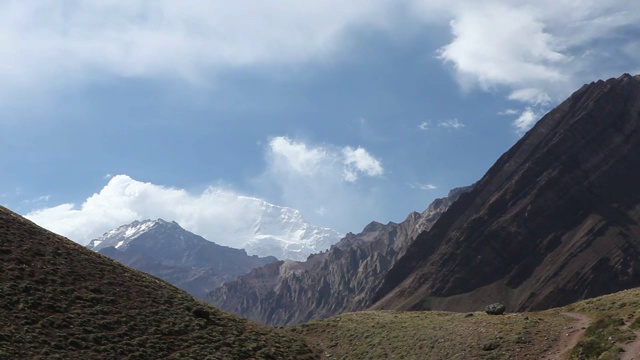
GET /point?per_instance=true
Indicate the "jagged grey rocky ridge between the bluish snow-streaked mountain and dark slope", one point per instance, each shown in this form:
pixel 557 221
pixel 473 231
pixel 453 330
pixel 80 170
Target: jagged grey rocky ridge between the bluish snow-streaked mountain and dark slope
pixel 341 279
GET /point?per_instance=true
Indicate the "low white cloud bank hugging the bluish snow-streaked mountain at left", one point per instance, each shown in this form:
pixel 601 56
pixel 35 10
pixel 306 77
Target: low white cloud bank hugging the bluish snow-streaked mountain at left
pixel 217 214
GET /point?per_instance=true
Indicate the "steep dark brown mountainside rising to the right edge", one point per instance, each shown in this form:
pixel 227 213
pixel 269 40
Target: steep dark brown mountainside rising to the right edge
pixel 555 220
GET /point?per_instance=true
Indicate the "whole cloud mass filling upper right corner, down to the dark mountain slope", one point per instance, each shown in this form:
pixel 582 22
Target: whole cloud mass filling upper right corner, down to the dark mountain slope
pixel 539 50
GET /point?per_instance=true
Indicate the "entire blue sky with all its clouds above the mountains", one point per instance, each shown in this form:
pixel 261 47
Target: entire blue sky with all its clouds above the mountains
pixel 350 112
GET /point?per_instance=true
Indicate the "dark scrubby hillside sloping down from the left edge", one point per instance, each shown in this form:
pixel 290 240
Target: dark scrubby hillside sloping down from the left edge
pixel 59 300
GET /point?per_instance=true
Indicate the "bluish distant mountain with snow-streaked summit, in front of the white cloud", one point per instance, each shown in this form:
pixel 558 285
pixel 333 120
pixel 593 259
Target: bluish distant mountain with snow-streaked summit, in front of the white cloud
pixel 166 250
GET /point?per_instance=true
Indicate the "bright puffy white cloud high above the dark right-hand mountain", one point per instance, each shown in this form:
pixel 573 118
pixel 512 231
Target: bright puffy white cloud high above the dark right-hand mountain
pixel 501 44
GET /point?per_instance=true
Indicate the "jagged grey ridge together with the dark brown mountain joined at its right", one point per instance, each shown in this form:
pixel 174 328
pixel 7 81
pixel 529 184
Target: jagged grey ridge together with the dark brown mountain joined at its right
pixel 555 220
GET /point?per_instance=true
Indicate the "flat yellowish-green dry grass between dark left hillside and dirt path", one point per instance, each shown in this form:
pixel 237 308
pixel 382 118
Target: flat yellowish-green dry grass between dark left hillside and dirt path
pixel 435 335
